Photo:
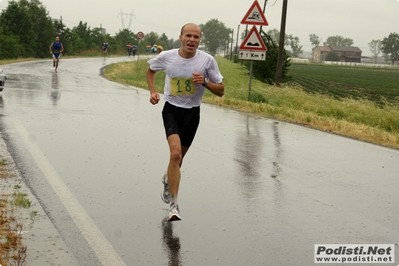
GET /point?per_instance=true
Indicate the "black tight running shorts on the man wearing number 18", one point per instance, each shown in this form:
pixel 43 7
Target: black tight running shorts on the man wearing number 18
pixel 181 121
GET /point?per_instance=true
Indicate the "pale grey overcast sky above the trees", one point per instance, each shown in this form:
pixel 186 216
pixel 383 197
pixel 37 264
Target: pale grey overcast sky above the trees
pixel 360 20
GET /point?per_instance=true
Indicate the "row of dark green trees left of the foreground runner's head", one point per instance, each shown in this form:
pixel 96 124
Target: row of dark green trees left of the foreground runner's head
pixel 27 30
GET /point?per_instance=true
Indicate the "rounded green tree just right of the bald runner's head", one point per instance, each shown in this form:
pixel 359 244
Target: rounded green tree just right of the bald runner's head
pixel 214 35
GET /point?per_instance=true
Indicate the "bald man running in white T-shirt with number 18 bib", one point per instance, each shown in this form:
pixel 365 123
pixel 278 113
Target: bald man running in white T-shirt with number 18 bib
pixel 188 73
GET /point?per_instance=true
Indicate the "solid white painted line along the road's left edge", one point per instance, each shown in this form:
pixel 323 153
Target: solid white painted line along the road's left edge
pixel 103 249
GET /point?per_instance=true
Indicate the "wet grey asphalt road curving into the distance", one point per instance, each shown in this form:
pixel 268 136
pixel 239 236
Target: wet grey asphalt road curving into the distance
pixel 254 191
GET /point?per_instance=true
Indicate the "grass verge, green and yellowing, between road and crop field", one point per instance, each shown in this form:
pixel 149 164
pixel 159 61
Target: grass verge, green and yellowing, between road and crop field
pixel 356 118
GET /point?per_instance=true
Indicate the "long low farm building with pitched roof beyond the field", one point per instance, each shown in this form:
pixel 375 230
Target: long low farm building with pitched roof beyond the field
pixel 345 54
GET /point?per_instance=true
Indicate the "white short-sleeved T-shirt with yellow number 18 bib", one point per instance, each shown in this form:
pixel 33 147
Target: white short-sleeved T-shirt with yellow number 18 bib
pixel 179 89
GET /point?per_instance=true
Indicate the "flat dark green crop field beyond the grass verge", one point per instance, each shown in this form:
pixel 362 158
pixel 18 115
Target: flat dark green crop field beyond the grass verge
pixel 379 85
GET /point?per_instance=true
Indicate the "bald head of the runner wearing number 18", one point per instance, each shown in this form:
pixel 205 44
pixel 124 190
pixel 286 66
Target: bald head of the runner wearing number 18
pixel 190 40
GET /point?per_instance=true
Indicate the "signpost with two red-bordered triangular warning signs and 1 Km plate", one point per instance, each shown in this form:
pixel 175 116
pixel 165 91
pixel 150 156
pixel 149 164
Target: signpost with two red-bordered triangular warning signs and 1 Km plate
pixel 253 47
